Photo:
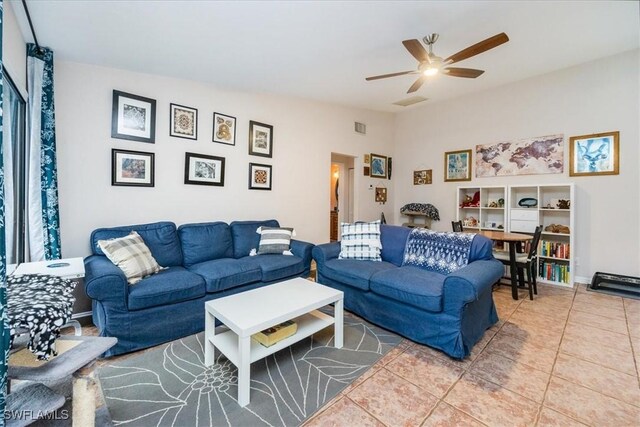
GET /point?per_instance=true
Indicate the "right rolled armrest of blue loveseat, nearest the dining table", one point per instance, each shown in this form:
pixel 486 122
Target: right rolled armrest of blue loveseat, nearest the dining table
pixel 465 285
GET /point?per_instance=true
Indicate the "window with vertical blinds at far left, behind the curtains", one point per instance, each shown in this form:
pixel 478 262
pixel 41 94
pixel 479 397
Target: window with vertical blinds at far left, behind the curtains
pixel 14 150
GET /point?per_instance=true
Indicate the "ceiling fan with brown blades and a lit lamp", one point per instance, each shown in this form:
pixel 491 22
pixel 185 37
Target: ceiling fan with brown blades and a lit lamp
pixel 429 64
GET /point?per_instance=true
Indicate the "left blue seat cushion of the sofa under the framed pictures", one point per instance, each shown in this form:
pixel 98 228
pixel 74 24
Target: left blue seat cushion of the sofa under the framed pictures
pixel 169 286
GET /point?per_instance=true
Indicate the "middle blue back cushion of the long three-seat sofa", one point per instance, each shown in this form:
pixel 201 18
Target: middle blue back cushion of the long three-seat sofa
pixel 205 242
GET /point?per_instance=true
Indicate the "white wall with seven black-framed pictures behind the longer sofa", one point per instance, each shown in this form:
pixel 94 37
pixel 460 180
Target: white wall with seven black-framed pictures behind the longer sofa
pixel 305 134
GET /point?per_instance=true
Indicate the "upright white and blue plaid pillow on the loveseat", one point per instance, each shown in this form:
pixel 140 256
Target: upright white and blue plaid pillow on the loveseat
pixel 360 241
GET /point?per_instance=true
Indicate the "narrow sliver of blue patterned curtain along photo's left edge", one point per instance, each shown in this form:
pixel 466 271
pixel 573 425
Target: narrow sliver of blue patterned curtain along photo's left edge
pixel 4 328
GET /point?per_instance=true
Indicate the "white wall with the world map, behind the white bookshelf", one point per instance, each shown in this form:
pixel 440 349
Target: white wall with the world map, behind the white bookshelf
pixel 591 98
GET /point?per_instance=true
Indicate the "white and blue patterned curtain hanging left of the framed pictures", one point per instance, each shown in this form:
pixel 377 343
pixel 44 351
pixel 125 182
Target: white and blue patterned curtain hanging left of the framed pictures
pixel 42 193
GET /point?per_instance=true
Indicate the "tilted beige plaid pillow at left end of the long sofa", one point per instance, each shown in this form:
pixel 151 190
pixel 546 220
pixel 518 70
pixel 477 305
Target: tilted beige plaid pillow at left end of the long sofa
pixel 131 255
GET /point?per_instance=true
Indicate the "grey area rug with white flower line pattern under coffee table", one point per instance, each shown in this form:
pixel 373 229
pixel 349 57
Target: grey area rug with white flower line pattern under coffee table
pixel 171 387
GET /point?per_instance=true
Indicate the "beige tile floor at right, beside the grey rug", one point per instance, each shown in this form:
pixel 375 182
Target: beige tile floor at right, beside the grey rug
pixel 567 358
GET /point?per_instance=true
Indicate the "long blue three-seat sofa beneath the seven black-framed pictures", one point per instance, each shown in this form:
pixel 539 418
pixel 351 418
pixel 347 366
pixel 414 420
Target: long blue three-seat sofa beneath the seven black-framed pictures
pixel 204 261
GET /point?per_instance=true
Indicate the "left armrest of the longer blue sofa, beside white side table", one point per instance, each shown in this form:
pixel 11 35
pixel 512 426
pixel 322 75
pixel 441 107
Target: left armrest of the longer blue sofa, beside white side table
pixel 104 281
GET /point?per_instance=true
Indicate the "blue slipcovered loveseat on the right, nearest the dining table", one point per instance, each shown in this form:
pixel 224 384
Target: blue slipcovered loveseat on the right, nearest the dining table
pixel 449 312
